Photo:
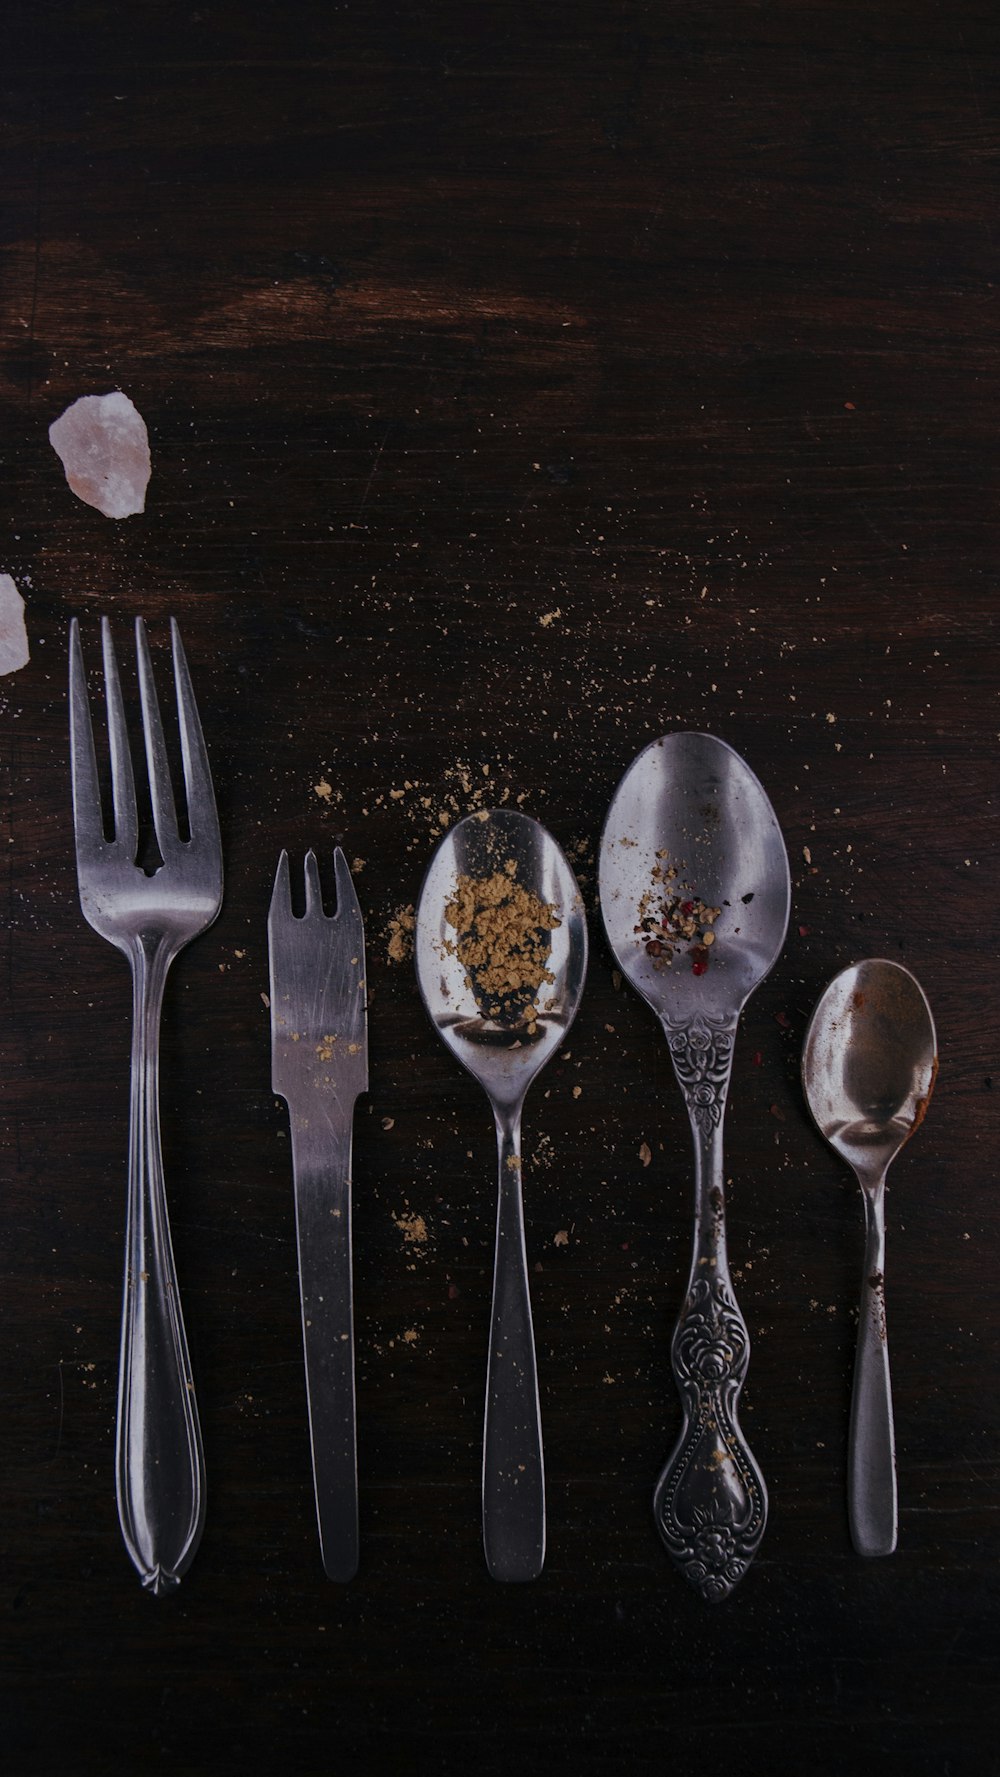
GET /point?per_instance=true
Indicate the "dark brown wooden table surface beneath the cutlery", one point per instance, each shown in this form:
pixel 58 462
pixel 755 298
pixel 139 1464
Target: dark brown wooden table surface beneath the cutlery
pixel 523 383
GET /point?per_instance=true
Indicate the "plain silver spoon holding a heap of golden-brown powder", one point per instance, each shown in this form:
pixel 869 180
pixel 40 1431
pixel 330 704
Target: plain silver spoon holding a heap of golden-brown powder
pixel 504 1046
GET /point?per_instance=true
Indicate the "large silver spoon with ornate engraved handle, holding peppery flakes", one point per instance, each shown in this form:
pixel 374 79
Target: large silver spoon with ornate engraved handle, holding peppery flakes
pixel 694 808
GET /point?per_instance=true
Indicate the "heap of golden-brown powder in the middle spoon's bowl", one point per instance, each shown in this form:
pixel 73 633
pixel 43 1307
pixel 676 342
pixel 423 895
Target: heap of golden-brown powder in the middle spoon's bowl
pixel 504 939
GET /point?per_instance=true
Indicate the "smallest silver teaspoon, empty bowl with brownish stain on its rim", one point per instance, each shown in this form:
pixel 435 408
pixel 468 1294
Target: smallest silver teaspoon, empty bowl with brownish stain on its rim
pixel 869 1065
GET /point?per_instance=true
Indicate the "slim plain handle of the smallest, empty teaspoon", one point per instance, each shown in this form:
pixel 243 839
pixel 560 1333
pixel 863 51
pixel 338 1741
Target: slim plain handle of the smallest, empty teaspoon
pixel 871 1462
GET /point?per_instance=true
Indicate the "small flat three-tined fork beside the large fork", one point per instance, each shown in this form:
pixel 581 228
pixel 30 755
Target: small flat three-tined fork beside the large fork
pixel 319 1067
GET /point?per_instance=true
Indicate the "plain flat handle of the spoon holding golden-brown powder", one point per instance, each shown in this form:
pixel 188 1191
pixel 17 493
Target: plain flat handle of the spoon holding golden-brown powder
pixel 514 1478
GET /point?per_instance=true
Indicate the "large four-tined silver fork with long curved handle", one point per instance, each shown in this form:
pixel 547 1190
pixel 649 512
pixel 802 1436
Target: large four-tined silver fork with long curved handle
pixel 150 918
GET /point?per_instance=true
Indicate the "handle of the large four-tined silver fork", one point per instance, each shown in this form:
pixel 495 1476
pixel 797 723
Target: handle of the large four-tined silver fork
pixel 161 1463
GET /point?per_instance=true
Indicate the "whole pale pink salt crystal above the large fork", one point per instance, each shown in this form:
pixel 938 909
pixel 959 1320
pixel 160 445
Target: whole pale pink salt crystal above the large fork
pixel 106 452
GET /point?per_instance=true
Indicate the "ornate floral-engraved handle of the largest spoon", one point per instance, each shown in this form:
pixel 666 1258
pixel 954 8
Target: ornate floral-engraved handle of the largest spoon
pixel 711 1502
